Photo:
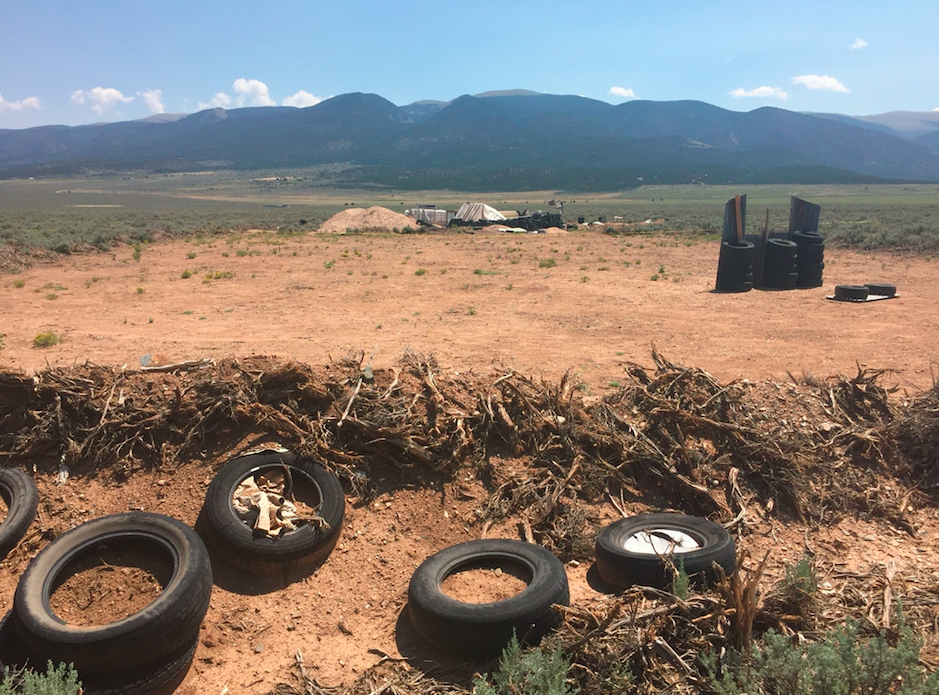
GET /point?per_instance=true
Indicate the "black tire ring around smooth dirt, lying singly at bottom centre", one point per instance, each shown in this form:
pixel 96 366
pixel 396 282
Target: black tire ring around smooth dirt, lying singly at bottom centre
pixel 483 629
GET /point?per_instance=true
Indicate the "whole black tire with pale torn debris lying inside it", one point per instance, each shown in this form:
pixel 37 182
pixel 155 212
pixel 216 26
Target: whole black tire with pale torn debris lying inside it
pixel 240 538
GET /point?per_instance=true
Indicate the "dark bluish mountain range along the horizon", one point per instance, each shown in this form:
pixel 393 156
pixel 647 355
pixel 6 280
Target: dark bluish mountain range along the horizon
pixel 499 141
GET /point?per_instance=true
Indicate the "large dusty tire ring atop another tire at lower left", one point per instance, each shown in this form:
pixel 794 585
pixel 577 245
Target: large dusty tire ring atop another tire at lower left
pixel 137 641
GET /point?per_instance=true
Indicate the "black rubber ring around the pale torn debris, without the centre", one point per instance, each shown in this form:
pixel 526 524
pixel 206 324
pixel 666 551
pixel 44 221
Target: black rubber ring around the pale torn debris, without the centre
pixel 239 545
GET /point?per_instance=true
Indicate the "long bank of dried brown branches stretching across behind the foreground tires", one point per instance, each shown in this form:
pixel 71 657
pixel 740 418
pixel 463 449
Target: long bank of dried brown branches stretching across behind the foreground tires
pixel 673 436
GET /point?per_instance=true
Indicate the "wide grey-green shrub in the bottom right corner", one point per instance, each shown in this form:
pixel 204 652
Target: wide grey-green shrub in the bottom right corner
pixel 840 663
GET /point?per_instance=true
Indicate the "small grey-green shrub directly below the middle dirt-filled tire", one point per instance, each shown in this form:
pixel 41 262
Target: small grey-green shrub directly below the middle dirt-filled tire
pixel 530 673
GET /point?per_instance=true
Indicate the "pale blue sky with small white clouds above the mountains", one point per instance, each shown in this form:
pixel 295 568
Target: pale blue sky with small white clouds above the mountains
pixel 91 61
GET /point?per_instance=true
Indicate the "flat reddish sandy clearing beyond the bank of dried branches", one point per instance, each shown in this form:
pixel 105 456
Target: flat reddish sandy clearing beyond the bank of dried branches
pixel 482 300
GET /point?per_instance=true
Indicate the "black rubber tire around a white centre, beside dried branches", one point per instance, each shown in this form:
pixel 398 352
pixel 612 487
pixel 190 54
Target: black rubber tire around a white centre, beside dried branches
pixel 622 568
